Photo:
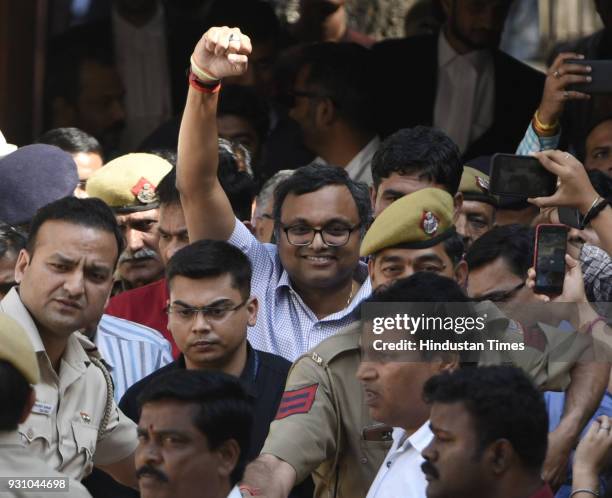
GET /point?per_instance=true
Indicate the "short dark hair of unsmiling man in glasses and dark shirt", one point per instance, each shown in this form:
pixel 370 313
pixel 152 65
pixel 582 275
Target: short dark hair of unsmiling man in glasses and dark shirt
pixel 212 258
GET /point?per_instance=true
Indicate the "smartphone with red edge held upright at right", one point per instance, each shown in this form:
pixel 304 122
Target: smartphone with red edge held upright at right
pixel 549 259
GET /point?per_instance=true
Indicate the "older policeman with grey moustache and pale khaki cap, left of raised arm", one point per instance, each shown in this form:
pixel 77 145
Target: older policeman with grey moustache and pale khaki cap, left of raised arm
pixel 128 185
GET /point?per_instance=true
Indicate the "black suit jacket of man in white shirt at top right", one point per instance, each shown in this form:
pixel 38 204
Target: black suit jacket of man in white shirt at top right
pixel 407 70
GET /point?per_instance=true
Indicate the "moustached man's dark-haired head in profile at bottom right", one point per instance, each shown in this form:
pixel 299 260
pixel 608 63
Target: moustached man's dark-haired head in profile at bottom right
pixel 490 429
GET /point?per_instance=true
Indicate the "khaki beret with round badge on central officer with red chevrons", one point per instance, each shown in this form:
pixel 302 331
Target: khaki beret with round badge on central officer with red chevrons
pixel 415 221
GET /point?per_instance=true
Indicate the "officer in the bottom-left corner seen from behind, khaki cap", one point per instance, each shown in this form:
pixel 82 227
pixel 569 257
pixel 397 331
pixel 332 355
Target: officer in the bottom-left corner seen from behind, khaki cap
pixel 29 475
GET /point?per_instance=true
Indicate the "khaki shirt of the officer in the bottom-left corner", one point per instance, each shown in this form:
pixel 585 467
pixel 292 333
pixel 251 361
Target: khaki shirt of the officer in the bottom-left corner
pixel 17 462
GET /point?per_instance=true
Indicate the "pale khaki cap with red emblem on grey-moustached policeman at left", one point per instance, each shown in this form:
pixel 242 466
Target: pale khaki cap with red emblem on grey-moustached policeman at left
pixel 128 183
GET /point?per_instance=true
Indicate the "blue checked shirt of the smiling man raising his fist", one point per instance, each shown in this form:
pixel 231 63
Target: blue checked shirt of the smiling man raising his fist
pixel 286 326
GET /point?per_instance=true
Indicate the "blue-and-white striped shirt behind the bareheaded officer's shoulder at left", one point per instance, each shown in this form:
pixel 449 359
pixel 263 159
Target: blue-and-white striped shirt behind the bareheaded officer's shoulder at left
pixel 131 351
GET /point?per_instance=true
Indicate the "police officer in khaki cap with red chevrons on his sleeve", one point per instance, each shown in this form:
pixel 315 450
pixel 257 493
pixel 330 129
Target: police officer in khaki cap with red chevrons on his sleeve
pixel 322 426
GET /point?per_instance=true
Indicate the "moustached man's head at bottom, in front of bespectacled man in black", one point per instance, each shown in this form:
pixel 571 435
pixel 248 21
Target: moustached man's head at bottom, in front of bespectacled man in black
pixel 193 436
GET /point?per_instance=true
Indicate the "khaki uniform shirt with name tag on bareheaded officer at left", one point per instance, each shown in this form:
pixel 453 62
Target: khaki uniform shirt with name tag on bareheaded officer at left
pixel 63 427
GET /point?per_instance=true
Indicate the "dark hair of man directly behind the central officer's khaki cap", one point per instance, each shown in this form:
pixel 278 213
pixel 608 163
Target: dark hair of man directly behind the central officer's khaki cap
pixel 423 151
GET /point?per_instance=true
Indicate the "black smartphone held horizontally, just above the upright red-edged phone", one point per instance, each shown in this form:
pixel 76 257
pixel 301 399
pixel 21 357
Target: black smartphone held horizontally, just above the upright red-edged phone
pixel 520 176
